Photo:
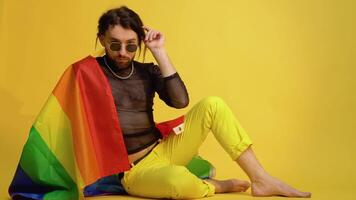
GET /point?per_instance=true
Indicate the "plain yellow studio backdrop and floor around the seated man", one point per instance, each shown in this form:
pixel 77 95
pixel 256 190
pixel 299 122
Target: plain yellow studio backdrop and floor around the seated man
pixel 285 67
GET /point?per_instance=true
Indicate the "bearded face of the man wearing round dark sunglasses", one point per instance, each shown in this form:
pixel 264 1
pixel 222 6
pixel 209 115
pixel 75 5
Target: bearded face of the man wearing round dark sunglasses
pixel 115 37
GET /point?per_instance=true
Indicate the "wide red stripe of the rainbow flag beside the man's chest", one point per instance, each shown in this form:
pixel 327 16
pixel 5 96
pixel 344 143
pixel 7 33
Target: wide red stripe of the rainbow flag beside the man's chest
pixel 102 117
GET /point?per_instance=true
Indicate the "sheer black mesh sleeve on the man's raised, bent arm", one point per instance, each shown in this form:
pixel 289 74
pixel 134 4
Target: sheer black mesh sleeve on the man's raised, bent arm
pixel 170 89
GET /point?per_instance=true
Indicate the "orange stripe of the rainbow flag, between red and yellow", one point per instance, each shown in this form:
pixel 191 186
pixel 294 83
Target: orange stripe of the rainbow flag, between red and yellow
pixel 67 93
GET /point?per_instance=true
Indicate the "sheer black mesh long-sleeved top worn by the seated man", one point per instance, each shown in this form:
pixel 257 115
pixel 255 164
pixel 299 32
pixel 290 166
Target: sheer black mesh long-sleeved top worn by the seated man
pixel 133 98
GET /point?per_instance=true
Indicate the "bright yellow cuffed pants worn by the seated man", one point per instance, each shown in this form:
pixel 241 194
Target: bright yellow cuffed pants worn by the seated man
pixel 162 173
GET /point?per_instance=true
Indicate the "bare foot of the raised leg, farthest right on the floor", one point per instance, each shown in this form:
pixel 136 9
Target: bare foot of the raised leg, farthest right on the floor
pixel 270 186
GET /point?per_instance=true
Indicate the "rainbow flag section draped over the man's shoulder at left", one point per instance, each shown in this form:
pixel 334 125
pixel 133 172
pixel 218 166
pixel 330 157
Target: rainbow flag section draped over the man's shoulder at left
pixel 75 140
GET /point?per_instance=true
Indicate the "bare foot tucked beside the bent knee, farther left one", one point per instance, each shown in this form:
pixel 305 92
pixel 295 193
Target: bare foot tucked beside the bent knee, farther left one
pixel 229 185
